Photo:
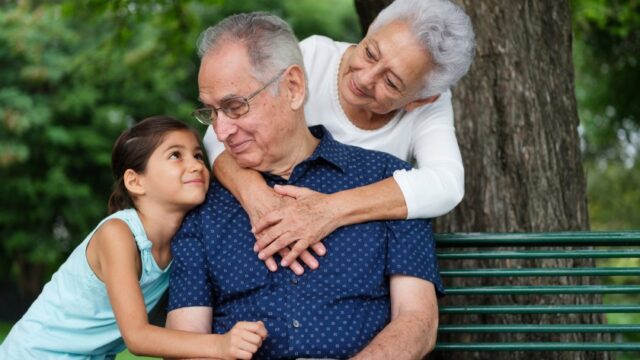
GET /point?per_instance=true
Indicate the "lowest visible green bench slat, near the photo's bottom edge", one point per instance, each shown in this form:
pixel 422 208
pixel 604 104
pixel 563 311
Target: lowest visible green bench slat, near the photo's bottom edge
pixel 538 346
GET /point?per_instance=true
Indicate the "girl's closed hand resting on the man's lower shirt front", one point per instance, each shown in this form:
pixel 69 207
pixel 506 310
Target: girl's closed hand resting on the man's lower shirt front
pixel 243 340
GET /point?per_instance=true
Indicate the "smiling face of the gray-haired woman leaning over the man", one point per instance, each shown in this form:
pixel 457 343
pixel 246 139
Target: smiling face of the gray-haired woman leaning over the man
pixel 385 71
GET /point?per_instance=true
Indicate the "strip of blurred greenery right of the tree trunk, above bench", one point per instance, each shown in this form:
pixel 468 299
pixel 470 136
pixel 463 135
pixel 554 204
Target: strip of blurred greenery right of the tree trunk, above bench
pixel 606 58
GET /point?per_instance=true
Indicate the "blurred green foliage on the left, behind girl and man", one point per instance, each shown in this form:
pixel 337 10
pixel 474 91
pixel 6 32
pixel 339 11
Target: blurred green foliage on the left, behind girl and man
pixel 77 73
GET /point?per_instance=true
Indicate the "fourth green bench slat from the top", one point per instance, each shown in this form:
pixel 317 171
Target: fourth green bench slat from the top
pixel 561 289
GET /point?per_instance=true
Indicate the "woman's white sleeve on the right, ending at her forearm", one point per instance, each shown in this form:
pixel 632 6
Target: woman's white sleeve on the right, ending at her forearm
pixel 436 186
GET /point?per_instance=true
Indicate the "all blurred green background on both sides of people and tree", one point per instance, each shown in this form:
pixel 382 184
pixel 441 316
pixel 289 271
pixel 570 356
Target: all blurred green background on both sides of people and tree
pixel 74 74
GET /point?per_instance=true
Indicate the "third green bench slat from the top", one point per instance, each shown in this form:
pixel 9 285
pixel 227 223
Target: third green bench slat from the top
pixel 540 272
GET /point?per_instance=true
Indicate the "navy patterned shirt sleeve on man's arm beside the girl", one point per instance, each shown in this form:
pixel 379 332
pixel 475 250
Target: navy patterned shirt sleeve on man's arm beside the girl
pixel 189 282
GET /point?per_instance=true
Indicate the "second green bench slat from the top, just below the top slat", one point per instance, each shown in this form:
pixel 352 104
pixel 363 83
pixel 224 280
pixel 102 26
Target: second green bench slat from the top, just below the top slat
pixel 548 254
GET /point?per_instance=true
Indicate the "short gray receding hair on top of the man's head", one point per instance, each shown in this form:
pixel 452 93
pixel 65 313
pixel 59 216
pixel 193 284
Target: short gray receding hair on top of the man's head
pixel 269 41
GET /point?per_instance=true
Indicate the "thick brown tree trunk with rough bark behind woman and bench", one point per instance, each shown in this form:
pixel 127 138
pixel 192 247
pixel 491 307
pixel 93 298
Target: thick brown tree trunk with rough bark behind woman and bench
pixel 516 121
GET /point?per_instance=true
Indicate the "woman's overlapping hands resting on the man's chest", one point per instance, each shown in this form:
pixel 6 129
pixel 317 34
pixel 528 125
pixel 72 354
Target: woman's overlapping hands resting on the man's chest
pixel 296 226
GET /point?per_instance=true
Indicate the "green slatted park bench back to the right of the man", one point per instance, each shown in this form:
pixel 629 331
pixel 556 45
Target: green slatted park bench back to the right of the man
pixel 511 260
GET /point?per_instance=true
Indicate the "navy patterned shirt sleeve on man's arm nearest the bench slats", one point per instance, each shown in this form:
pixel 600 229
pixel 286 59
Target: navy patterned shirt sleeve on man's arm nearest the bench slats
pixel 411 250
